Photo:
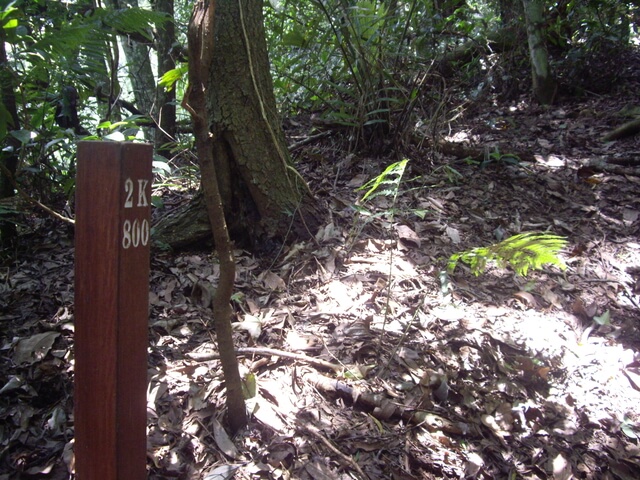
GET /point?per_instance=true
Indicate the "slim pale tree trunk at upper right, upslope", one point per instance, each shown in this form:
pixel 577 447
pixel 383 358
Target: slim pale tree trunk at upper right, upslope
pixel 544 85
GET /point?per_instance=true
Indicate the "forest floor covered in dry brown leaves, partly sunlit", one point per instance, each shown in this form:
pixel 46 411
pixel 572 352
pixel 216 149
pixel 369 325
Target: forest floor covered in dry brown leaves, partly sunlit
pixel 436 375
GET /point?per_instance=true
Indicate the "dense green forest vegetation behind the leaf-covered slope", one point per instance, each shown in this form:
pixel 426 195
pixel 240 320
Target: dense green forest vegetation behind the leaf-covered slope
pixel 379 73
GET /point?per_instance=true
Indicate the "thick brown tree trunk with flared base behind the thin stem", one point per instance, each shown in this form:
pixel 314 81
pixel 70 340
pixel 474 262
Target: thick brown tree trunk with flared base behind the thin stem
pixel 263 195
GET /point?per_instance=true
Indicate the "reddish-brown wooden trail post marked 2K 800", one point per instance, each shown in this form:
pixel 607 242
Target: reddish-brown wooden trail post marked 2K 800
pixel 113 198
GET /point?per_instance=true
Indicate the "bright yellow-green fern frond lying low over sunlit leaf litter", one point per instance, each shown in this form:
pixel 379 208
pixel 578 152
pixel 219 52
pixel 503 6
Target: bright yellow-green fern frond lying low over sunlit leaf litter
pixel 522 252
